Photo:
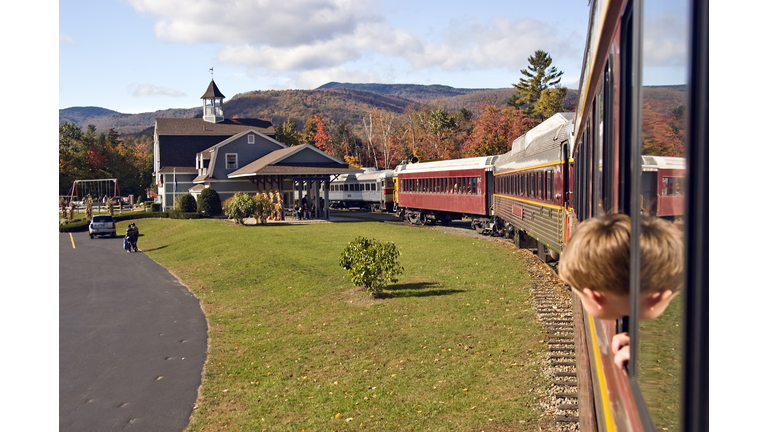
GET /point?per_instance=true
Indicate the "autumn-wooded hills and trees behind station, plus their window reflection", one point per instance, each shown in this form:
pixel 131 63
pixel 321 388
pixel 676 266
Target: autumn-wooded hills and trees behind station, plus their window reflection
pixel 378 124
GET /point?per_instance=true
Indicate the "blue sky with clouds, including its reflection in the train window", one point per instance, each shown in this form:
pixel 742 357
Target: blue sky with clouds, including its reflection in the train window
pixel 136 56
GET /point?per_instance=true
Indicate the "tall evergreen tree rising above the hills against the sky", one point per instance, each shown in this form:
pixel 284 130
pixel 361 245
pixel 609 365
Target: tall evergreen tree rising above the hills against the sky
pixel 539 76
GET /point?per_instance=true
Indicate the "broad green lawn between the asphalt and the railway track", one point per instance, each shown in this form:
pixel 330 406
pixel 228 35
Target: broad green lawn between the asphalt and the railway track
pixel 293 346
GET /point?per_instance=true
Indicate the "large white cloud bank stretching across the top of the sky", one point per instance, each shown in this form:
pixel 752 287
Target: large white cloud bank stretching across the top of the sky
pixel 317 36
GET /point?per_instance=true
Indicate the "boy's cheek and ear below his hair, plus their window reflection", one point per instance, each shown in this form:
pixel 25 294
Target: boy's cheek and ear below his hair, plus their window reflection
pixel 610 306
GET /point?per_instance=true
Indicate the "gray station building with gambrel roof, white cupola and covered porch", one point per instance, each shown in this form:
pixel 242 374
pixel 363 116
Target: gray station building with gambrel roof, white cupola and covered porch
pixel 238 155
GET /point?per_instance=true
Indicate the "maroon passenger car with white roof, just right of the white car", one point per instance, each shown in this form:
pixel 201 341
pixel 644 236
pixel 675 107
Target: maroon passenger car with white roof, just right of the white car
pixel 448 190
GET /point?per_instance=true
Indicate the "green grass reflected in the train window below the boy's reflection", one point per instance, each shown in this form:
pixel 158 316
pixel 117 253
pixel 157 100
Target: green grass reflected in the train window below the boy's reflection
pixel 659 373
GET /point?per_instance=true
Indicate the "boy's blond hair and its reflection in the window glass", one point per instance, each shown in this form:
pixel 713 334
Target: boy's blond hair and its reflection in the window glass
pixel 597 255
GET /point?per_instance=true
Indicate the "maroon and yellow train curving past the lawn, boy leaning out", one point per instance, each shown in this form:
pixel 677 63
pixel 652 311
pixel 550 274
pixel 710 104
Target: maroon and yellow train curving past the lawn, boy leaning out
pixel 574 166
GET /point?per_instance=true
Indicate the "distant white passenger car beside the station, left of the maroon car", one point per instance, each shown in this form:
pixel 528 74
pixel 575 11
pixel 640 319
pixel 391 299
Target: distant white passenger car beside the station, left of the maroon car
pixel 372 189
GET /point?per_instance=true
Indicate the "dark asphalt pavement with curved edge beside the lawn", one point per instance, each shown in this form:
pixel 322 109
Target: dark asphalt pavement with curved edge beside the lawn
pixel 132 340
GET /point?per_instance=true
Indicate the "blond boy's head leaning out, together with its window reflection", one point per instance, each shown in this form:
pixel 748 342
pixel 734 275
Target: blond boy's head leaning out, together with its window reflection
pixel 595 262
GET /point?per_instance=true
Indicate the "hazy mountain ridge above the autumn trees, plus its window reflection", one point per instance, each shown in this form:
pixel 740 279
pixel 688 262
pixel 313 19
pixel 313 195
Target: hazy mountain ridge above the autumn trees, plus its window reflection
pixel 338 102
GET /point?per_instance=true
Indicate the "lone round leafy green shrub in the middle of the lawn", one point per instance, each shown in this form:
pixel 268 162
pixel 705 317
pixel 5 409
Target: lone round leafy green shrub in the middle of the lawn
pixel 371 264
